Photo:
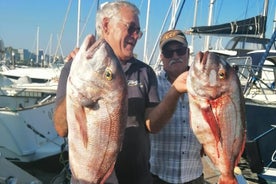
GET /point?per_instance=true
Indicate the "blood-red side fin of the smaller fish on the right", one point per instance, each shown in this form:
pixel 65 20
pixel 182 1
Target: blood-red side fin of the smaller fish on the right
pixel 212 121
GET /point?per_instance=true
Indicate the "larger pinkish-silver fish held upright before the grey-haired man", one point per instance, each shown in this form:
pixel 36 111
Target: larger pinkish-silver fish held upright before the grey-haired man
pixel 96 112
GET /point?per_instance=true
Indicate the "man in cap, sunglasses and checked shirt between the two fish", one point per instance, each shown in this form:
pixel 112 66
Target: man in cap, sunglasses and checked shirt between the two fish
pixel 175 151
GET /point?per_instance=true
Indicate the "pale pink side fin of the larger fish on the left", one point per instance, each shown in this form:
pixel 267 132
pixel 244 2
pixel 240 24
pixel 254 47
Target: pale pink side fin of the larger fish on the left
pixel 81 118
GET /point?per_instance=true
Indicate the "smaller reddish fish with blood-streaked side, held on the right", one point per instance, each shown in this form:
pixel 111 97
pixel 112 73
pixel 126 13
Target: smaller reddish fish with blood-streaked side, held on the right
pixel 217 112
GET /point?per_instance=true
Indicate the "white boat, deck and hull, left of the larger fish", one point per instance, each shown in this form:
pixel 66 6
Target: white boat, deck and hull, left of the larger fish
pixel 26 126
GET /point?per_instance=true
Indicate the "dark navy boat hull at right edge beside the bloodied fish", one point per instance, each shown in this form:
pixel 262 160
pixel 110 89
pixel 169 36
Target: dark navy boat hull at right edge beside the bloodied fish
pixel 260 130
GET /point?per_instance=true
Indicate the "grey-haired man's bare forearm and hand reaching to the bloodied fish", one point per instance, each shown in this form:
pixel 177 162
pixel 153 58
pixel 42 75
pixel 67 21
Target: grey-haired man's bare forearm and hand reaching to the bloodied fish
pixel 157 118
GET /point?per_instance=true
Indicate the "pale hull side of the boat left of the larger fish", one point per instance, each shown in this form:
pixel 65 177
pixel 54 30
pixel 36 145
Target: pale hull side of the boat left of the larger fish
pixel 28 134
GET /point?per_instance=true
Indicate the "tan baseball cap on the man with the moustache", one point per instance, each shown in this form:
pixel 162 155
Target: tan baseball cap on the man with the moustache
pixel 173 35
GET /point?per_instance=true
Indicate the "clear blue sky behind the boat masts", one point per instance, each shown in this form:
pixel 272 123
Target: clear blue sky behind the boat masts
pixel 19 20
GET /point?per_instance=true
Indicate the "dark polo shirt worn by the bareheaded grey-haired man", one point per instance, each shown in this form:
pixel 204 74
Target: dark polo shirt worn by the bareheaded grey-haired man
pixel 132 166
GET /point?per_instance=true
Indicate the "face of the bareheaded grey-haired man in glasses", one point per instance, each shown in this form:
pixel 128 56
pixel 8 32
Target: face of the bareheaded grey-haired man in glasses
pixel 123 33
